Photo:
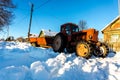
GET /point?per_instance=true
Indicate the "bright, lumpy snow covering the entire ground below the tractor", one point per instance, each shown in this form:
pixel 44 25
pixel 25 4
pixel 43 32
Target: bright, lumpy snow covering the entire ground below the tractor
pixel 20 61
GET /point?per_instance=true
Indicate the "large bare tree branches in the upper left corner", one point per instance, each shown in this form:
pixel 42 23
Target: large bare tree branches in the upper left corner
pixel 6 14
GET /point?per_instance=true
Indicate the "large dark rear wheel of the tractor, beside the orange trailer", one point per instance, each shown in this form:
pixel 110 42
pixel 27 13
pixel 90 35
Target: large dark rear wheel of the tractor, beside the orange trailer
pixel 59 43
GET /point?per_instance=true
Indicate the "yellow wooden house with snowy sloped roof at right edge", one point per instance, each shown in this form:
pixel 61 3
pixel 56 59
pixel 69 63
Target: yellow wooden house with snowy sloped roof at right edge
pixel 111 34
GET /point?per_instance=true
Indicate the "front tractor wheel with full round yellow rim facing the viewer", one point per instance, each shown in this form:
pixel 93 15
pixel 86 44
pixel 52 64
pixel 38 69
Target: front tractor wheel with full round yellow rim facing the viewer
pixel 84 49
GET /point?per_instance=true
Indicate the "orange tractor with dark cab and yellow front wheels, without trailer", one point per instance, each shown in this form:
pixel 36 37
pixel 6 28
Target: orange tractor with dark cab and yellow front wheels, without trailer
pixel 84 42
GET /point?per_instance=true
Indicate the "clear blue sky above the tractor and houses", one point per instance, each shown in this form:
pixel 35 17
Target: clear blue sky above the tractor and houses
pixel 53 13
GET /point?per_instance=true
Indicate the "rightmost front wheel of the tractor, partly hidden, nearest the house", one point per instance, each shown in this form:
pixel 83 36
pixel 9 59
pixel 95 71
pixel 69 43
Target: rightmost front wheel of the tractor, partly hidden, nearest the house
pixel 103 51
